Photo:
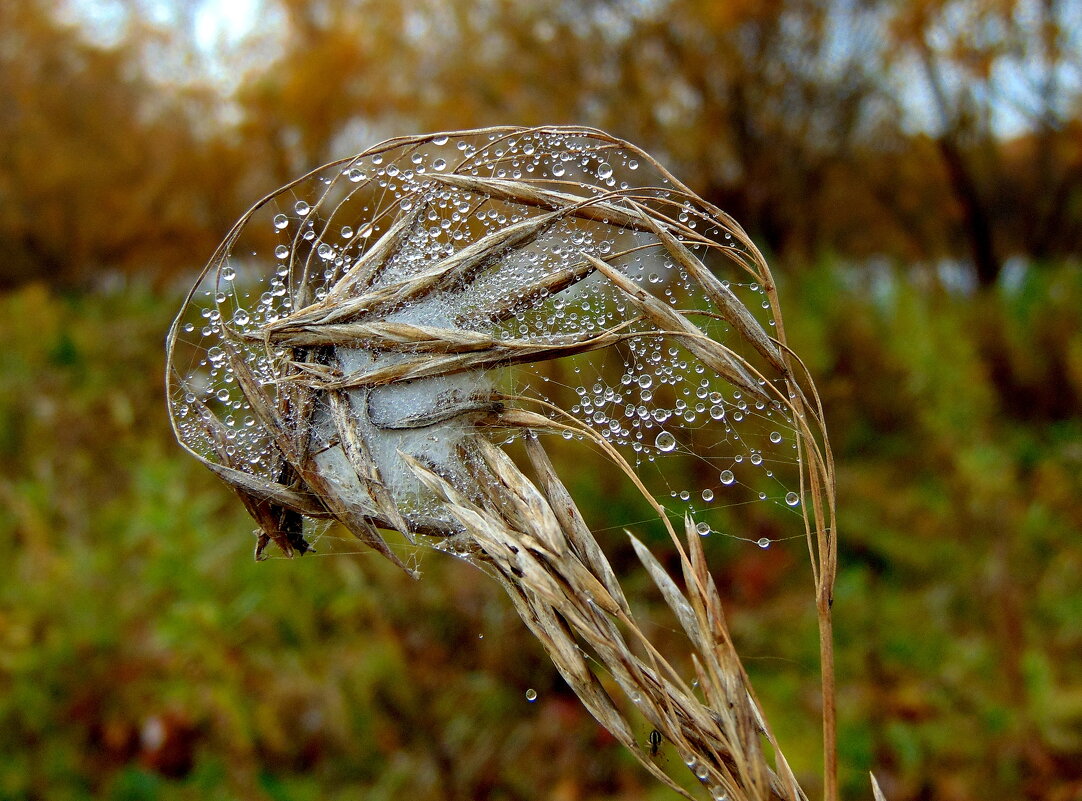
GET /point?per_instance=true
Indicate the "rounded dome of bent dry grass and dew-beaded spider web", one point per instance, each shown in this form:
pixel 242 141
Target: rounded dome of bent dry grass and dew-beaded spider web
pixel 373 342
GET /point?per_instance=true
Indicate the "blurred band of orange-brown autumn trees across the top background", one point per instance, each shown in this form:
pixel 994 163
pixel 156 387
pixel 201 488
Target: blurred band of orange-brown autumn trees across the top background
pixel 942 129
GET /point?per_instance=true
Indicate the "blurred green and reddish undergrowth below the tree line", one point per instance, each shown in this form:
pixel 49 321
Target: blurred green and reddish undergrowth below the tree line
pixel 146 655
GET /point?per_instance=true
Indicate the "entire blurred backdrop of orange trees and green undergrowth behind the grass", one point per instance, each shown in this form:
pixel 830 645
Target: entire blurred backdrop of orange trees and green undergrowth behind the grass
pixel 914 173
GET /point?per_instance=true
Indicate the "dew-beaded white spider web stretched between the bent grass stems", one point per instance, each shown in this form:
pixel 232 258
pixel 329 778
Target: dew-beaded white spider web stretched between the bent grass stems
pixel 698 443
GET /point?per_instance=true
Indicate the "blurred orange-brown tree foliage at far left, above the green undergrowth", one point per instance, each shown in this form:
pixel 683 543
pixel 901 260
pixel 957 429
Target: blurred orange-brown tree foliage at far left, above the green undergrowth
pixel 102 168
